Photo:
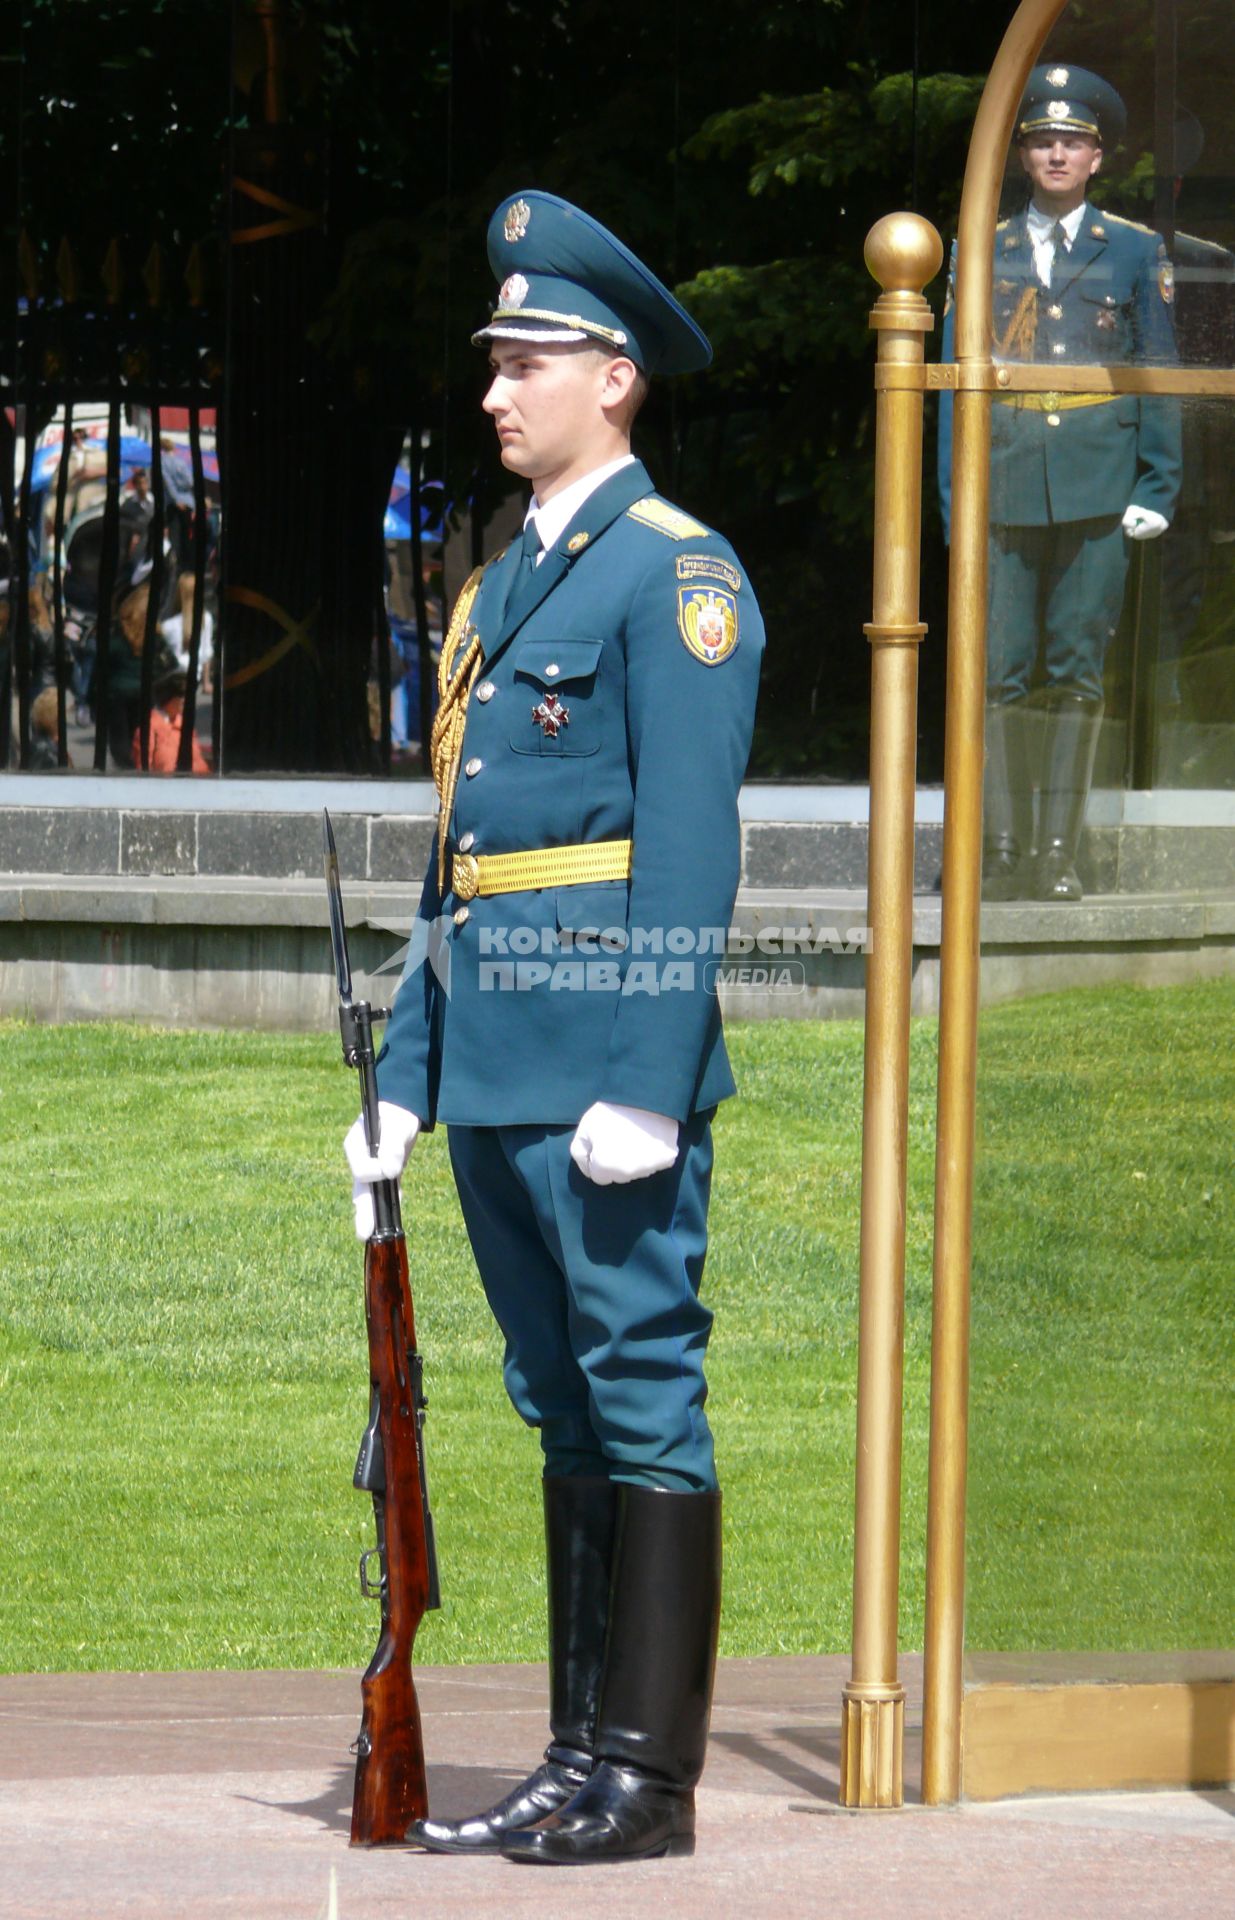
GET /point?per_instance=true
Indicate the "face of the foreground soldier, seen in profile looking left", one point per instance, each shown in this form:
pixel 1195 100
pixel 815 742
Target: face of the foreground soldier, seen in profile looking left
pixel 546 406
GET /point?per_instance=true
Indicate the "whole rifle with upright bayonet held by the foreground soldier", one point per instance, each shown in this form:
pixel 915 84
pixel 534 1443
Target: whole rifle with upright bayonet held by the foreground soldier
pixel 391 1466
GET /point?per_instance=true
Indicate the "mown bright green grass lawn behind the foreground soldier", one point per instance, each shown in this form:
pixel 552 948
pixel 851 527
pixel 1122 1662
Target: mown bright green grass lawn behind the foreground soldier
pixel 183 1364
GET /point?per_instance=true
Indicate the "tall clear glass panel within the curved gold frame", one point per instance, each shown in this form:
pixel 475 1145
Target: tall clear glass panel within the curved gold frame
pixel 1103 1420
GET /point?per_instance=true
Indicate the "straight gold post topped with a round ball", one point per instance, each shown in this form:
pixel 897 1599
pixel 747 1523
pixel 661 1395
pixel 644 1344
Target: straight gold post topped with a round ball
pixel 904 252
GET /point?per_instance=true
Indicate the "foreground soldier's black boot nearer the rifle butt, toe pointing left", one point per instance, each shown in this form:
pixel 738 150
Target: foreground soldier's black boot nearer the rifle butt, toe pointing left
pixel 581 1516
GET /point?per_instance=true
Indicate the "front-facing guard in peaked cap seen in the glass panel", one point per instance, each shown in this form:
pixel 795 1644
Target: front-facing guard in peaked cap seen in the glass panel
pixel 1075 477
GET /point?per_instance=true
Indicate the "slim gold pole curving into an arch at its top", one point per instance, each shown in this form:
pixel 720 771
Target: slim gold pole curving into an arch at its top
pixel 963 754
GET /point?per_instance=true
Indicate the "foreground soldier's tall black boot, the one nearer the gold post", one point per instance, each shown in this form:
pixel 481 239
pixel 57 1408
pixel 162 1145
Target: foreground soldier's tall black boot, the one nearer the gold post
pixel 658 1691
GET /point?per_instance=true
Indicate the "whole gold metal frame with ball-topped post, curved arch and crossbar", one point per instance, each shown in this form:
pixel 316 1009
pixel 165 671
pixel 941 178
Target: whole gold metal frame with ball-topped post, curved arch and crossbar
pixel 904 254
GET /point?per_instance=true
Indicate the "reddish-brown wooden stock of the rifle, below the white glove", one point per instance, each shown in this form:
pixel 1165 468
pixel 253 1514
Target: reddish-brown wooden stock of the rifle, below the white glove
pixel 391 1790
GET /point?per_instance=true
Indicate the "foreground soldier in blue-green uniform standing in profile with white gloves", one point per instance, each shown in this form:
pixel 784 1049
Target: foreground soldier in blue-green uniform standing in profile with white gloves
pixel 598 698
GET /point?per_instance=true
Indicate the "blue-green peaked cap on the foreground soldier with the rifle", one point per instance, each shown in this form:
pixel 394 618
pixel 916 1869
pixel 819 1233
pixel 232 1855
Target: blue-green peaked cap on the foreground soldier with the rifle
pixel 566 277
